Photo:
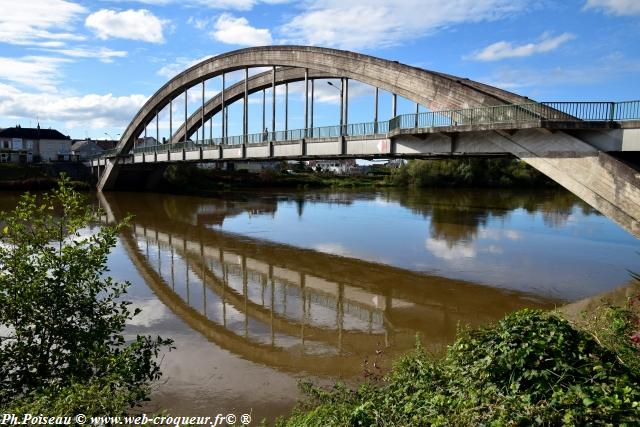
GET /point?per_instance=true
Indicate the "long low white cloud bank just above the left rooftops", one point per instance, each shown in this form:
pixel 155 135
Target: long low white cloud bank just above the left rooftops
pixel 87 111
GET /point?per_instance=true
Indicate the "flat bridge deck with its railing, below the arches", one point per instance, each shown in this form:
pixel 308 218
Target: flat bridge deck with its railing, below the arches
pixel 448 132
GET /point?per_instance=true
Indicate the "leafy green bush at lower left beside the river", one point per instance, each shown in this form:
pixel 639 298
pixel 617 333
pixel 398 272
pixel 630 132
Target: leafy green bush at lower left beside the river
pixel 62 319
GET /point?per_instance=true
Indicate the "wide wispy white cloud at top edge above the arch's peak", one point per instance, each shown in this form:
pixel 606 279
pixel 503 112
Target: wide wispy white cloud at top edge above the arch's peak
pixel 352 24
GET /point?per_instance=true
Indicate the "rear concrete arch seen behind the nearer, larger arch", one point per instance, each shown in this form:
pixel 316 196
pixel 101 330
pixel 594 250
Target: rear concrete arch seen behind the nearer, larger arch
pixel 235 93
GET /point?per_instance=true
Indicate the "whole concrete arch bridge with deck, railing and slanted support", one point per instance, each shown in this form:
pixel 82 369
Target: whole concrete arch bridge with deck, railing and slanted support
pixel 587 147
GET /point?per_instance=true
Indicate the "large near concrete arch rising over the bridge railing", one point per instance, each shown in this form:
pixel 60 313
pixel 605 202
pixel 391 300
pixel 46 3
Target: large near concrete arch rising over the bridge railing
pixel 435 90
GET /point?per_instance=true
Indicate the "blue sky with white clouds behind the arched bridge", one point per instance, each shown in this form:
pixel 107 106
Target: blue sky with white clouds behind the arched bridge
pixel 86 67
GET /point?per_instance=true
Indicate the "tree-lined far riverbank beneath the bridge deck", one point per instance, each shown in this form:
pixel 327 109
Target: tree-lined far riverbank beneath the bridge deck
pixel 473 172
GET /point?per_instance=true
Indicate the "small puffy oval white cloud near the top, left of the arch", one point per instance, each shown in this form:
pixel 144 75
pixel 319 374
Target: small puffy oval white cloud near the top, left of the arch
pixel 129 24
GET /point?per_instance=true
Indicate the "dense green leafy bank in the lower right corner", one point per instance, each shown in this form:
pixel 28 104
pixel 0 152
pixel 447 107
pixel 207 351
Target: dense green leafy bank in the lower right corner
pixel 532 367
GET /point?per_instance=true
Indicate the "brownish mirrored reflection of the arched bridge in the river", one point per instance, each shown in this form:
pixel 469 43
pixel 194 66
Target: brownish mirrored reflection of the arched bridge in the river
pixel 295 309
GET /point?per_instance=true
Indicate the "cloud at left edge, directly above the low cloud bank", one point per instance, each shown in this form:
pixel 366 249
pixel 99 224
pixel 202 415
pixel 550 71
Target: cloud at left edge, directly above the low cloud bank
pixel 36 71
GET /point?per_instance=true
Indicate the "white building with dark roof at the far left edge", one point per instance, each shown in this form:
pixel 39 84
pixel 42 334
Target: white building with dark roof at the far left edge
pixel 26 145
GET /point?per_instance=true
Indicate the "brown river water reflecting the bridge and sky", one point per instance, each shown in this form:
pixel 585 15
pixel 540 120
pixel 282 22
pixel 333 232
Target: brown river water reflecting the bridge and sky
pixel 262 289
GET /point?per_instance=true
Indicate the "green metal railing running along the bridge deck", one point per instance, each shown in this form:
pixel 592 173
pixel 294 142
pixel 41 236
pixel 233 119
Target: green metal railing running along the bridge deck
pixel 501 114
